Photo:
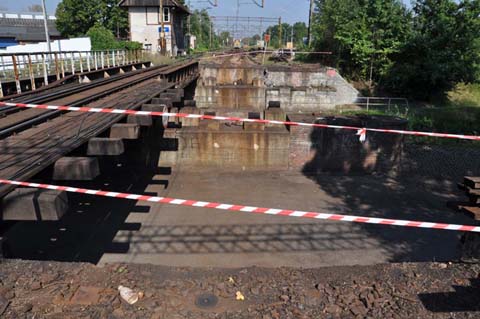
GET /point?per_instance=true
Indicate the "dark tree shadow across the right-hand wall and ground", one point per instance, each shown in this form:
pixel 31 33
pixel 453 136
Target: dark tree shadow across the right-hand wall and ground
pixel 384 195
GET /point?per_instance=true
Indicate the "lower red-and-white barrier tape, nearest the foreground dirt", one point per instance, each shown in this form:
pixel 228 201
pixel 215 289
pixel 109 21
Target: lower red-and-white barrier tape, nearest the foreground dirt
pixel 252 209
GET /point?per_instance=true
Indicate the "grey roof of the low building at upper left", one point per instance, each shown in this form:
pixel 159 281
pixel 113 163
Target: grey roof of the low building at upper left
pixel 26 30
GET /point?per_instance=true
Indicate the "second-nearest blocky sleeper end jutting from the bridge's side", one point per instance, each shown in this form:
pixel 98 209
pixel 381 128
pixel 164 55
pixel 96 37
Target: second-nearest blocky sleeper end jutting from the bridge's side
pixel 76 169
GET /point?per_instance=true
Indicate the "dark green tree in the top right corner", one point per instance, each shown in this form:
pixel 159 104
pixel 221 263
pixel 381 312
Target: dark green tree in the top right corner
pixel 443 50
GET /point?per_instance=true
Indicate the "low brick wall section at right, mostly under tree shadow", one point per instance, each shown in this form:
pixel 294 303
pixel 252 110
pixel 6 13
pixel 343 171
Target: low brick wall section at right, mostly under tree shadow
pixel 316 150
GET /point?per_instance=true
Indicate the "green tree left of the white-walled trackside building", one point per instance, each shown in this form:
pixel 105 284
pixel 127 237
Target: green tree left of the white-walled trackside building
pixel 75 18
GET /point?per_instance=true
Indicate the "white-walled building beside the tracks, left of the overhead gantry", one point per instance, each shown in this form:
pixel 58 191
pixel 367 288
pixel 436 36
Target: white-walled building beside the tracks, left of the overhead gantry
pixel 145 24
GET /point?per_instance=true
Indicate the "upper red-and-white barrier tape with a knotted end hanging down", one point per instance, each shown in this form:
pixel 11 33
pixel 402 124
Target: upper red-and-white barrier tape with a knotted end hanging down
pixel 361 131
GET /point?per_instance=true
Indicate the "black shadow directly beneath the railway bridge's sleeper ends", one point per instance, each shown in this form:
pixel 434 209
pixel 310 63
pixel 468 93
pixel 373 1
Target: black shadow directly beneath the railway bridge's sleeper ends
pixel 91 223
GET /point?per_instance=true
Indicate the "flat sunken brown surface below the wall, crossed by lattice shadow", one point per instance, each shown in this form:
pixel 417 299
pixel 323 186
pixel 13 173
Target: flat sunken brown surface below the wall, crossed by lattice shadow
pixel 185 236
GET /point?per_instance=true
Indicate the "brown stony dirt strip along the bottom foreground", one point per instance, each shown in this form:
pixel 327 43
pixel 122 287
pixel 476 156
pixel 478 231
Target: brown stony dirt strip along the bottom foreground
pixel 77 290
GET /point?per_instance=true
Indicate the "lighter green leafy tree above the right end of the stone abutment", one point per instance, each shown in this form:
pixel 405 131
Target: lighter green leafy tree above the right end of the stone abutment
pixel 362 34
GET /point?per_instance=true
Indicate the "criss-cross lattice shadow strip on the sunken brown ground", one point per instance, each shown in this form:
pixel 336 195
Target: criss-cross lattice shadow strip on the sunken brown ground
pixel 254 238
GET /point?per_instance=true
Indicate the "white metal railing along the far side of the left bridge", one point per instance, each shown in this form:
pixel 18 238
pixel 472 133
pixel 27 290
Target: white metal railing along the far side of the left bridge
pixel 18 66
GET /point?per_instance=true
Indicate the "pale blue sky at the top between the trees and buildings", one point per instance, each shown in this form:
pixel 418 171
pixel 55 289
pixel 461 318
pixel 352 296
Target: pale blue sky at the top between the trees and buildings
pixel 289 10
